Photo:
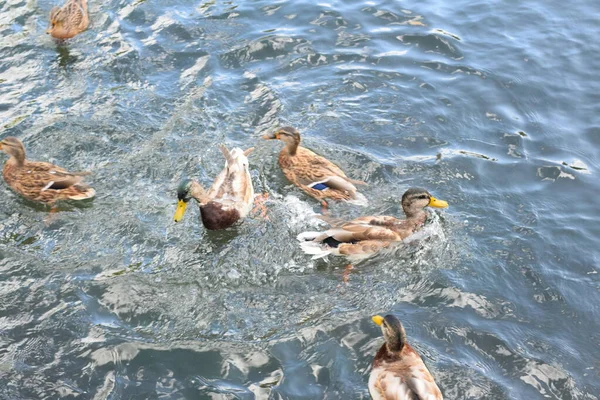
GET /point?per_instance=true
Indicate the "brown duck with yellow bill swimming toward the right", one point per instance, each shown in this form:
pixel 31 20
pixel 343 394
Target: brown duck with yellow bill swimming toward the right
pixel 366 235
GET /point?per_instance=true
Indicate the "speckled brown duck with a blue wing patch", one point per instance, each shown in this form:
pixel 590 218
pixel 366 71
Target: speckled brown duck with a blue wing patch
pixel 315 175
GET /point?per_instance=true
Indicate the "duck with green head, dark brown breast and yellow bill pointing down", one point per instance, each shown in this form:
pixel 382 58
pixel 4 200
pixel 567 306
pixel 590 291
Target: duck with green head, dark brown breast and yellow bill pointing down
pixel 230 197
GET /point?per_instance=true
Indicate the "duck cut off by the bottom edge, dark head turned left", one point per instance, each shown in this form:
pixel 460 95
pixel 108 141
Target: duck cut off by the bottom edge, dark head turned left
pixel 398 371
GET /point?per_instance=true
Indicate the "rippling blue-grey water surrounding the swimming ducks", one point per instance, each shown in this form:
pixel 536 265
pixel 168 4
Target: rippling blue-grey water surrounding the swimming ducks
pixel 492 106
